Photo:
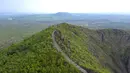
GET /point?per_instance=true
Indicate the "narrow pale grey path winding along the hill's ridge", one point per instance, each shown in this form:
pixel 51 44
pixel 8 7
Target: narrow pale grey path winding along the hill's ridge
pixel 65 56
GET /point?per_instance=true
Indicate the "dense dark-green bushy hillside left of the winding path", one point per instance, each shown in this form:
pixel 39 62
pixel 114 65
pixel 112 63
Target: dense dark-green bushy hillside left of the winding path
pixel 34 55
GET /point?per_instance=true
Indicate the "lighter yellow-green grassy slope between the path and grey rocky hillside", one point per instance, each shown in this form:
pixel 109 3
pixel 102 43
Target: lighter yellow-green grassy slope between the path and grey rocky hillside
pixel 78 49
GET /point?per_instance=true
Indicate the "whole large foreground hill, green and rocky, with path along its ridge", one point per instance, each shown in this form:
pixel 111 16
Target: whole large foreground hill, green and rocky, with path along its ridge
pixel 59 48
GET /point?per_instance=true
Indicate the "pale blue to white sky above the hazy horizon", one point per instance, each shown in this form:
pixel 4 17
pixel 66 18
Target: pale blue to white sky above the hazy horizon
pixel 73 6
